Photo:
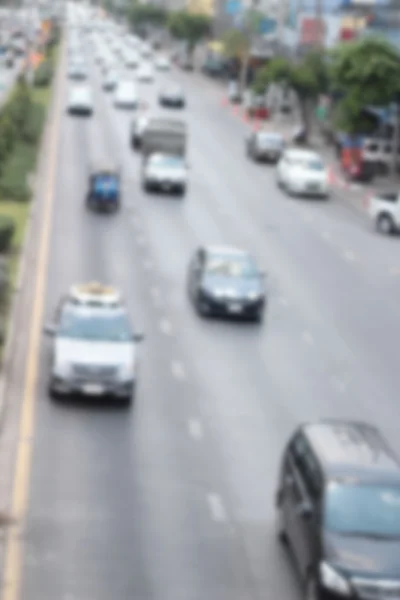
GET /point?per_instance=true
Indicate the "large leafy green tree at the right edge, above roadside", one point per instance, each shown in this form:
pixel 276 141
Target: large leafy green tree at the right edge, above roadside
pixel 364 72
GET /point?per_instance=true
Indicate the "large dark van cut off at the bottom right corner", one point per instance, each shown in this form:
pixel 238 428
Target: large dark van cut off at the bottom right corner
pixel 338 504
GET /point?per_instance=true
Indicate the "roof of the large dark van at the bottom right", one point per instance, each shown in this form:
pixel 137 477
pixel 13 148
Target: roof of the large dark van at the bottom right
pixel 352 449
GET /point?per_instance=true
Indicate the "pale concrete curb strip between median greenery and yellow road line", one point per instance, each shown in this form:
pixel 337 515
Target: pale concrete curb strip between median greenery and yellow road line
pixel 24 255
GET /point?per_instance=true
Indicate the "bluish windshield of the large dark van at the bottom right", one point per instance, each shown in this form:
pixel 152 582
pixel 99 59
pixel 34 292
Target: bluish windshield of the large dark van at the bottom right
pixel 365 510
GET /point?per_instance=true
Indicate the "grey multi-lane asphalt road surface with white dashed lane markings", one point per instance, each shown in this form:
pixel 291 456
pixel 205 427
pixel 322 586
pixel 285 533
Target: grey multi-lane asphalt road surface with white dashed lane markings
pixel 175 499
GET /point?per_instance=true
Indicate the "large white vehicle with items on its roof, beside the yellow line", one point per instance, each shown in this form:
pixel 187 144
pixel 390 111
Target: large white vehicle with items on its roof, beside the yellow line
pixel 95 347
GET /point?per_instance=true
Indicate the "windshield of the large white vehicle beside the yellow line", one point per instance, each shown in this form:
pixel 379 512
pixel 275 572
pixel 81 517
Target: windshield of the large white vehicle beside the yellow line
pixel 107 326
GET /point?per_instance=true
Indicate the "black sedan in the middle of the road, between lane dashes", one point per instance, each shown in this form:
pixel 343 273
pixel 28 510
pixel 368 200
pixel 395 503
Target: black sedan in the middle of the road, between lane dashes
pixel 227 282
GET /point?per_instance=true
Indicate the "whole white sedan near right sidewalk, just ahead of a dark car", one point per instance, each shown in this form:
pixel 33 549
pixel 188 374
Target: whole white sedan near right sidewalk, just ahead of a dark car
pixel 303 172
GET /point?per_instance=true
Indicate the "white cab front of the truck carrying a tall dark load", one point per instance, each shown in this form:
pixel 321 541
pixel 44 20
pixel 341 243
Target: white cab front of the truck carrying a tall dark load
pixel 162 172
